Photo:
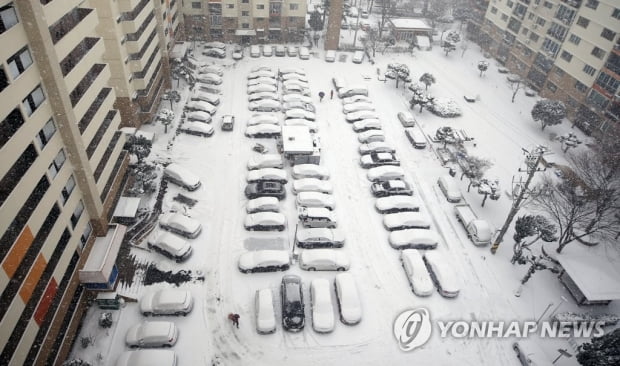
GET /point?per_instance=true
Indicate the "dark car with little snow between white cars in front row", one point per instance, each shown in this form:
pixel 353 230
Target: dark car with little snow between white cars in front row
pixel 293 315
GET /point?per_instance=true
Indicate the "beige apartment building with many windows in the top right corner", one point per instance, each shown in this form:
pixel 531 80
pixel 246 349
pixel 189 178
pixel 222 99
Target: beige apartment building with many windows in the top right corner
pixel 567 50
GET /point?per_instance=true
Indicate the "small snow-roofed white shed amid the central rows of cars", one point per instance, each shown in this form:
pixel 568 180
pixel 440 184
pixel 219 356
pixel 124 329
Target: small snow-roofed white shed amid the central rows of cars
pixel 299 145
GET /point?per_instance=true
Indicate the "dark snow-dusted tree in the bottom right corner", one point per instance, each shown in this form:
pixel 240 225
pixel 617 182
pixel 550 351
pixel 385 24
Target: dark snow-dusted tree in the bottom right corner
pixel 601 351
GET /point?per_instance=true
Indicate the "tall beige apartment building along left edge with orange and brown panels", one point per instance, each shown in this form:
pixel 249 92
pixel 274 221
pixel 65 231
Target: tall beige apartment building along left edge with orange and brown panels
pixel 72 73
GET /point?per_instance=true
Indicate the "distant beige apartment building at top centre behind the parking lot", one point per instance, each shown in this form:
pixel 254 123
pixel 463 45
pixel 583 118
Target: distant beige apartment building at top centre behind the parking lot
pixel 245 21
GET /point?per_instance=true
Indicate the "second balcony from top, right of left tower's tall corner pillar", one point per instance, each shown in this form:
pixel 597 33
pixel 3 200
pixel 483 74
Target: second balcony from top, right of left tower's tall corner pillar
pixel 84 60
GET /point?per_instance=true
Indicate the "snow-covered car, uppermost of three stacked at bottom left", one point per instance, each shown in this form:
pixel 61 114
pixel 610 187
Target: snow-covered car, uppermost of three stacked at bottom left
pixel 167 302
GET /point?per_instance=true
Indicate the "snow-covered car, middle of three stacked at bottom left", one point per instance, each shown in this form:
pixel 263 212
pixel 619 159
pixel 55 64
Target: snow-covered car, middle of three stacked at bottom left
pixel 152 334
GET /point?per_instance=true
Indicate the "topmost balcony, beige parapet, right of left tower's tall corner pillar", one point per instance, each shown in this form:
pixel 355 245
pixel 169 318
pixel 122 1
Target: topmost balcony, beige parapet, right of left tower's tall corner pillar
pixel 71 30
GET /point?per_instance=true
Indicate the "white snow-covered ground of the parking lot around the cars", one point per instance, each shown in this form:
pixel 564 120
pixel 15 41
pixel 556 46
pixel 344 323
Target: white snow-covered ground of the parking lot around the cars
pixel 488 282
